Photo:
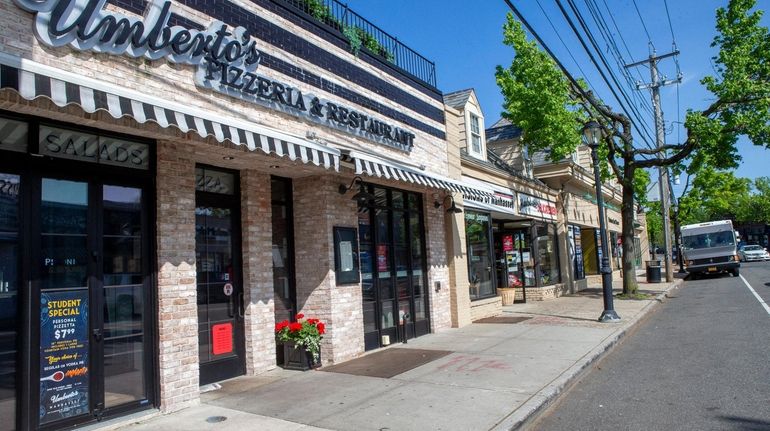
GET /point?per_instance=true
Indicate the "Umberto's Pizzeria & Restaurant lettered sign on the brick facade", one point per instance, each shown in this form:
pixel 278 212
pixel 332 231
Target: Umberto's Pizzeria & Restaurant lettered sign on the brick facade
pixel 225 58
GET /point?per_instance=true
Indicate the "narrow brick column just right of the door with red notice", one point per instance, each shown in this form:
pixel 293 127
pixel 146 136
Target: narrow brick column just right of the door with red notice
pixel 259 318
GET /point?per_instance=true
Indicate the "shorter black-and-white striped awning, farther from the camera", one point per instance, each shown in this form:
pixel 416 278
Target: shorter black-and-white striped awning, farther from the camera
pixel 371 165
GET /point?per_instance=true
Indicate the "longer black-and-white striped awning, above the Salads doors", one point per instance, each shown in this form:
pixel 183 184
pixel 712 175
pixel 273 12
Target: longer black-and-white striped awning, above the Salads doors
pixel 32 80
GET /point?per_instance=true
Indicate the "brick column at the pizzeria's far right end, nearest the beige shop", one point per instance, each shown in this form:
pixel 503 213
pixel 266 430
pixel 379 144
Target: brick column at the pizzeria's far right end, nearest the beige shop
pixel 438 267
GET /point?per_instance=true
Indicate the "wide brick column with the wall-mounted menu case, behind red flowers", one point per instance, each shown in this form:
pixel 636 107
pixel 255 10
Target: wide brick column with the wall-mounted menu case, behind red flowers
pixel 318 207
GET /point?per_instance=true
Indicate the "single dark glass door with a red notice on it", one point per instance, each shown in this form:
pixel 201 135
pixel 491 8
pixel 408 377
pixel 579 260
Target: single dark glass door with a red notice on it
pixel 218 264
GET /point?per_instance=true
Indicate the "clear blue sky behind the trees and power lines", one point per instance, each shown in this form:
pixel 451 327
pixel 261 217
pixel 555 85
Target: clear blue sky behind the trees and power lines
pixel 464 39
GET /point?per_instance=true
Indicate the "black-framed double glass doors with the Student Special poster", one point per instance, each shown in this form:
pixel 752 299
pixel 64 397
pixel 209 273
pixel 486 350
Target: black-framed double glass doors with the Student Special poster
pixel 94 285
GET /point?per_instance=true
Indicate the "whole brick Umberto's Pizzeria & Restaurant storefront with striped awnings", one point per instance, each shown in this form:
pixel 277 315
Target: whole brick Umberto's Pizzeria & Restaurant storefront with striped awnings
pixel 172 185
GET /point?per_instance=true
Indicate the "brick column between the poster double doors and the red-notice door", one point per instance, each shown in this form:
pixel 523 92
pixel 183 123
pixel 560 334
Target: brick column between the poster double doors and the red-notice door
pixel 177 302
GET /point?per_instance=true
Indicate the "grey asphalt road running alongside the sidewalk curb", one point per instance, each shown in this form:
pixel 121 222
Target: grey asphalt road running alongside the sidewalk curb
pixel 701 362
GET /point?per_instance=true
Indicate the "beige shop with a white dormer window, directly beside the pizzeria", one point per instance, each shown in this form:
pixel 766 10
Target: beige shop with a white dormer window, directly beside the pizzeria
pixel 510 236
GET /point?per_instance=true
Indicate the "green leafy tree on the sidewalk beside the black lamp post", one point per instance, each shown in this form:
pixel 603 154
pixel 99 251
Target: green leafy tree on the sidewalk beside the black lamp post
pixel 740 107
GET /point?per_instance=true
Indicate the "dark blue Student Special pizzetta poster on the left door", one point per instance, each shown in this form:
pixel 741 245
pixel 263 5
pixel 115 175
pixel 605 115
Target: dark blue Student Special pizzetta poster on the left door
pixel 64 372
